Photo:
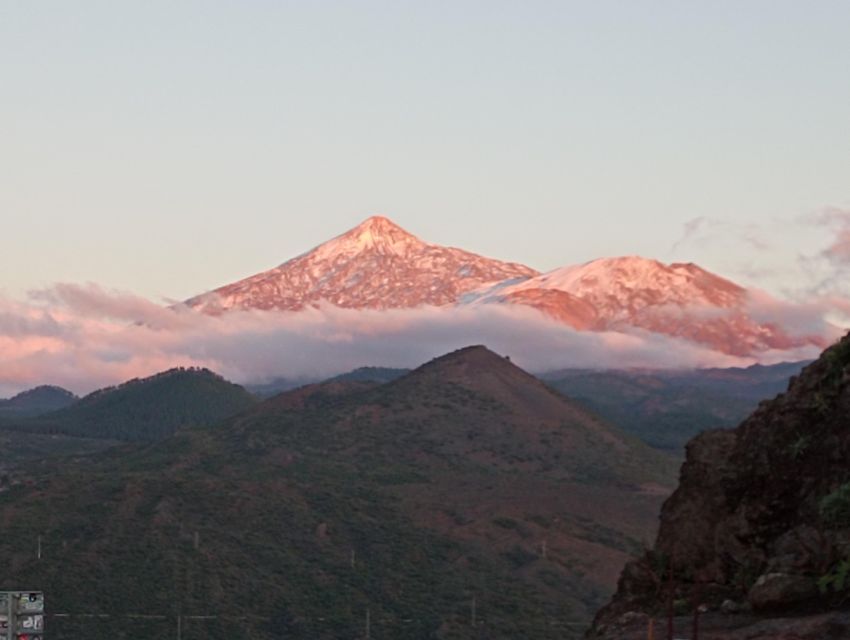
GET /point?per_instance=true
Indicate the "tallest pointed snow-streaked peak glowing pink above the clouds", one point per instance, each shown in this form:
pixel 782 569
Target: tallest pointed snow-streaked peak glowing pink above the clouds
pixel 376 265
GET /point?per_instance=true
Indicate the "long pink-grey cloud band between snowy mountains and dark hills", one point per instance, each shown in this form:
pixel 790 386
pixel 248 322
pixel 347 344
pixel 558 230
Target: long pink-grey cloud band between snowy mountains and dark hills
pixel 84 337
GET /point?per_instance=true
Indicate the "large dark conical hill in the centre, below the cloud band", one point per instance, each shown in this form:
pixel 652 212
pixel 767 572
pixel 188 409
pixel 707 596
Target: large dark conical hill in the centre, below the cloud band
pixel 465 481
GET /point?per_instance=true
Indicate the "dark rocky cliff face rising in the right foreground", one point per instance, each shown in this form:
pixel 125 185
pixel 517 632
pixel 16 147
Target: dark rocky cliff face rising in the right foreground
pixel 760 523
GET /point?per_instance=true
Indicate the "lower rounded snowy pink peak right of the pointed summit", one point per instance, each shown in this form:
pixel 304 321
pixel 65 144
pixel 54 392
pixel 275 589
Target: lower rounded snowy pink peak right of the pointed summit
pixel 681 300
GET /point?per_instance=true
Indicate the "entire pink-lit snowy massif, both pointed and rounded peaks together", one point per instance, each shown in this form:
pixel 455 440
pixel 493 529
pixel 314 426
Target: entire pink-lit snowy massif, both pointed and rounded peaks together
pixel 379 265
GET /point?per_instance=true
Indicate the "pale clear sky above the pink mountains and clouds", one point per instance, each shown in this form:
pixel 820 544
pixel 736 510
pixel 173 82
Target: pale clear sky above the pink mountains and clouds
pixel 167 147
